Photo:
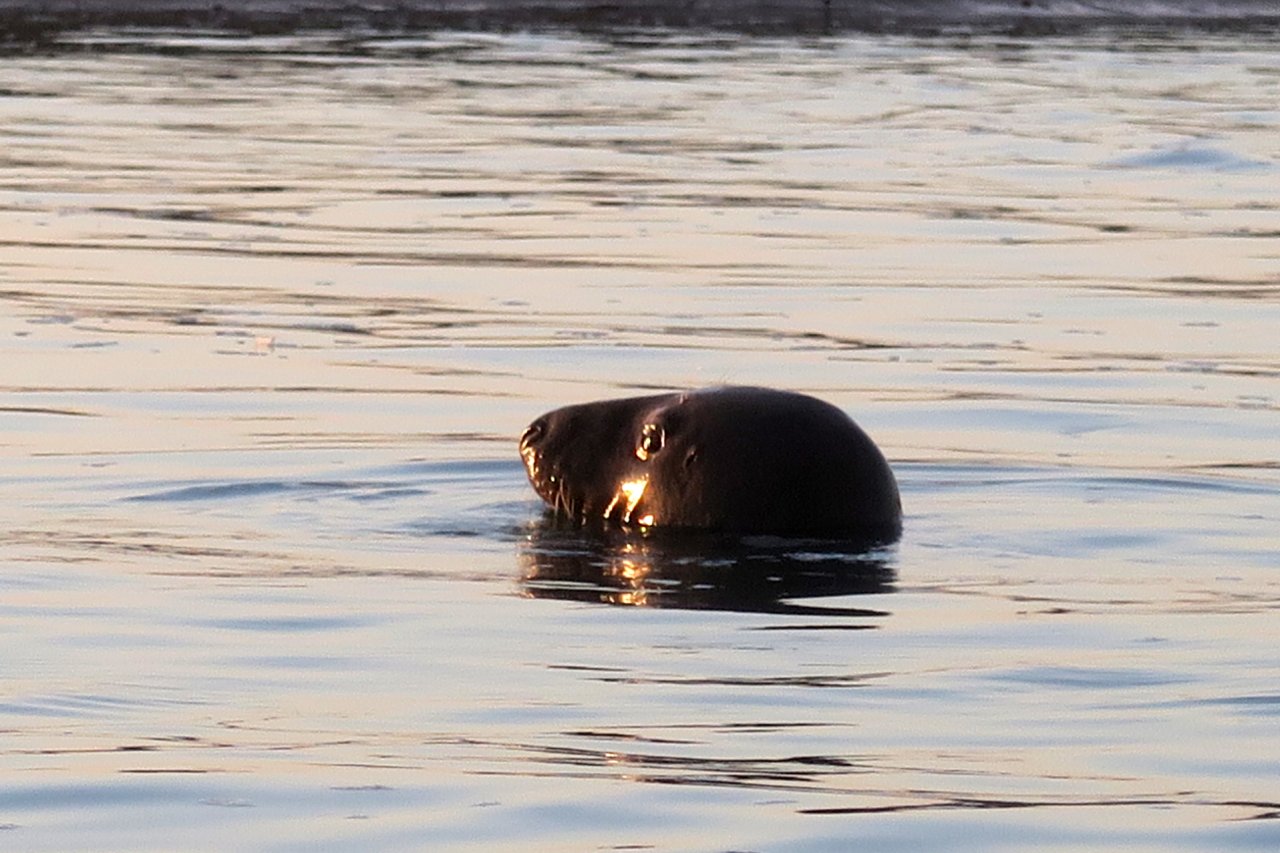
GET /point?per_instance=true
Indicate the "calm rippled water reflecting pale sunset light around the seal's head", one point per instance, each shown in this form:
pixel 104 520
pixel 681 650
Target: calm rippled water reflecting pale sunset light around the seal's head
pixel 275 312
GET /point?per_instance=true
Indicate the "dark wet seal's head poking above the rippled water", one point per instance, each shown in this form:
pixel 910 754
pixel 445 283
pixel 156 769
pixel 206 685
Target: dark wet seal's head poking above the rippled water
pixel 735 460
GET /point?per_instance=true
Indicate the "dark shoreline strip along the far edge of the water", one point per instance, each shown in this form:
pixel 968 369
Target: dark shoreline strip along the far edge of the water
pixel 44 20
